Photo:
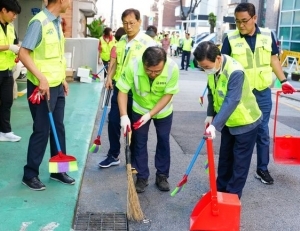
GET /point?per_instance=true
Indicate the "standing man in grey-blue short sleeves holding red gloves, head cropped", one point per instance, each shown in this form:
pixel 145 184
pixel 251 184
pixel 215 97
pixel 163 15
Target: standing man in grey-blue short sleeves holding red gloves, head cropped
pixel 42 53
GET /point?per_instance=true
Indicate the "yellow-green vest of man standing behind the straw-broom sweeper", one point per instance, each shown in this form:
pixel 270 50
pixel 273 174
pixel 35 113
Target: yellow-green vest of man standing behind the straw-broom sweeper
pixel 137 49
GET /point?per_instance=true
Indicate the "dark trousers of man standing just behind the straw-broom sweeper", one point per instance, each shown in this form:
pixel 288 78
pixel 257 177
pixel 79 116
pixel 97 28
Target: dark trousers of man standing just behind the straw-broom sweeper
pixel 114 128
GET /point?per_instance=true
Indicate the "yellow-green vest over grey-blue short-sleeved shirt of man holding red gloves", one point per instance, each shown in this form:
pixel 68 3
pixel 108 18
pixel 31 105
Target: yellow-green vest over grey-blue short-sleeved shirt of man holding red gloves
pixel 48 56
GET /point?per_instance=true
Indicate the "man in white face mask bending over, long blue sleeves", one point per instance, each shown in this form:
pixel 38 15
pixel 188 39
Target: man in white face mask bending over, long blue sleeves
pixel 233 111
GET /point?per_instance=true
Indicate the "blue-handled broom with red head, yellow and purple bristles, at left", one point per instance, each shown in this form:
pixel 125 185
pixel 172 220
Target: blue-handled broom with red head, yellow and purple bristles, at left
pixel 60 162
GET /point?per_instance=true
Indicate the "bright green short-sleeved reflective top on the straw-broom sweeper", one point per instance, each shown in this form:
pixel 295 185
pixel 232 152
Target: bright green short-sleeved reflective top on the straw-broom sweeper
pixel 146 95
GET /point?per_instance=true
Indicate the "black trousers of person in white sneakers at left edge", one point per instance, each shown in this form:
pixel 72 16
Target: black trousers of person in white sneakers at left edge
pixel 6 100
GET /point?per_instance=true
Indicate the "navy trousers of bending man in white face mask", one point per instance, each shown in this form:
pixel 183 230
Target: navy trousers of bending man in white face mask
pixel 234 160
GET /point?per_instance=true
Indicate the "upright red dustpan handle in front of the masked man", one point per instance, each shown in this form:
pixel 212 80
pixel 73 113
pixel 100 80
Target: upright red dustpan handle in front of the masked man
pixel 212 176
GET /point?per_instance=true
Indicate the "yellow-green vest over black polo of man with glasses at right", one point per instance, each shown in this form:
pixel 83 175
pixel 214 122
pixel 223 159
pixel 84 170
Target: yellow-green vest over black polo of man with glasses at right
pixel 257 65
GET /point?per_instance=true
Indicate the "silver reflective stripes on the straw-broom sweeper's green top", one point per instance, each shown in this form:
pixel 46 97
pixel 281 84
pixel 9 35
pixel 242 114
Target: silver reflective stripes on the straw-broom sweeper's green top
pixel 167 110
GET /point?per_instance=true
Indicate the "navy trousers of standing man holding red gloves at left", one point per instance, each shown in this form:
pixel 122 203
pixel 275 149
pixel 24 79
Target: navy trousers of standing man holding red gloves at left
pixel 41 129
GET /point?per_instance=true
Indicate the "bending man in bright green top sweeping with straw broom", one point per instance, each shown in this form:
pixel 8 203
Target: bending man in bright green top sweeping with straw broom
pixel 153 80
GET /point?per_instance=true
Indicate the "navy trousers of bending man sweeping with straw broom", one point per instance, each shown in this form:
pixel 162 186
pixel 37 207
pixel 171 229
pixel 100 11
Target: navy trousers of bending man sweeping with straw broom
pixel 162 153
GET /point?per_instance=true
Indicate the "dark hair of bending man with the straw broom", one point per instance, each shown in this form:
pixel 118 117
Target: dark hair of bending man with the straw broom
pixel 152 56
